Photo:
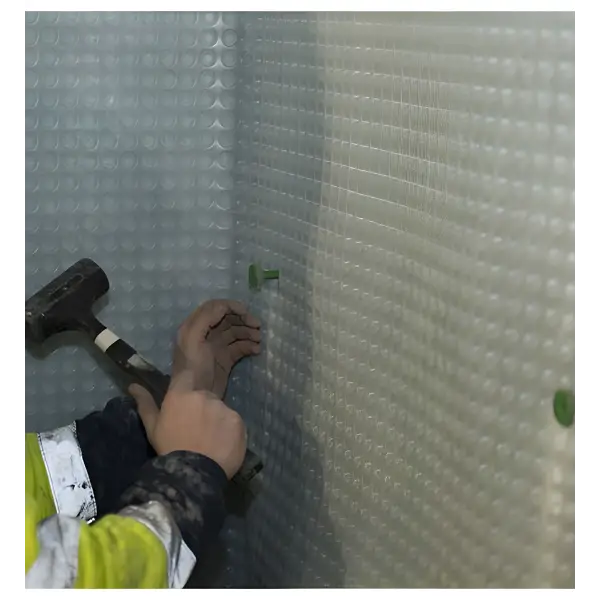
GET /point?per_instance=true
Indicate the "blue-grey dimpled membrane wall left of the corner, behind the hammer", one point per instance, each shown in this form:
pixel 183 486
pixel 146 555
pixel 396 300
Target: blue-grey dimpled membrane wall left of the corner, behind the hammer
pixel 128 152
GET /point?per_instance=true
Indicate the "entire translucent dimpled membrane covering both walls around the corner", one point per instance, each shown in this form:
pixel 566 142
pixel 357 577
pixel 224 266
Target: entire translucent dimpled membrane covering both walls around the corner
pixel 413 177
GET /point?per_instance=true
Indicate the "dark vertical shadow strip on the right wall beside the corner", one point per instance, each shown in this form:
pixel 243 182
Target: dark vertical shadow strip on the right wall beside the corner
pixel 277 209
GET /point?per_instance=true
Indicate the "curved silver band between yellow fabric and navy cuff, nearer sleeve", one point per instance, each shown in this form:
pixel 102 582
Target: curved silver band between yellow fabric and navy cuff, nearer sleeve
pixel 157 518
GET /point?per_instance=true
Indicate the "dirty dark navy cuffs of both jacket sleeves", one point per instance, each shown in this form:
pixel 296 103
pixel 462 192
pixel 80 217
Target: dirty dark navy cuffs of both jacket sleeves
pixel 124 470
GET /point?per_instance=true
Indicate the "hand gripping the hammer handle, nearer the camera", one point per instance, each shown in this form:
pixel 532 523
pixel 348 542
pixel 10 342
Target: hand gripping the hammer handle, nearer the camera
pixel 194 421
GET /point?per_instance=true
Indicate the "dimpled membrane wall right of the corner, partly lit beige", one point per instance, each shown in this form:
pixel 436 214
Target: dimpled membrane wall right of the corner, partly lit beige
pixel 413 178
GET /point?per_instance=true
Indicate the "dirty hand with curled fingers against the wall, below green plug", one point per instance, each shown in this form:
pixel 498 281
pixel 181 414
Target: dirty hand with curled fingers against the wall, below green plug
pixel 217 335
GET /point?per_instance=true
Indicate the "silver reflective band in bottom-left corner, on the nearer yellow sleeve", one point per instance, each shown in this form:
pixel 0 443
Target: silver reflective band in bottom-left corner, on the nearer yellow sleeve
pixel 56 565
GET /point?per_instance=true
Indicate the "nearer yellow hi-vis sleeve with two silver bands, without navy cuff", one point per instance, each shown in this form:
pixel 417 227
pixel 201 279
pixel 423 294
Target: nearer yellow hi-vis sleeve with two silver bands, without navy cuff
pixel 141 547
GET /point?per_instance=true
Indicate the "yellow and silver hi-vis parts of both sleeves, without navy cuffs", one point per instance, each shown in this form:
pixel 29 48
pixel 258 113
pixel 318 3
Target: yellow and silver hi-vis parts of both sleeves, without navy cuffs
pixel 140 547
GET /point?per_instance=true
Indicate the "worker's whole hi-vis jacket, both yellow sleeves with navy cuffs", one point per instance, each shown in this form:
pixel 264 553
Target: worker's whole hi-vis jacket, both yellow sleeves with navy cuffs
pixel 80 531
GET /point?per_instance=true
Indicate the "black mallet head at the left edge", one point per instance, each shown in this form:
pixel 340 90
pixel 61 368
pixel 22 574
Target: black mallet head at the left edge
pixel 65 304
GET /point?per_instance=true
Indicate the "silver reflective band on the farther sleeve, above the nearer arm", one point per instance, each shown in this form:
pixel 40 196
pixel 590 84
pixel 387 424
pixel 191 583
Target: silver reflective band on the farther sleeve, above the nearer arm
pixel 69 481
